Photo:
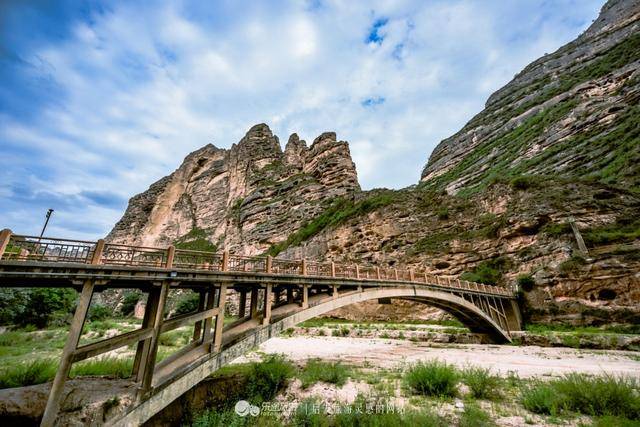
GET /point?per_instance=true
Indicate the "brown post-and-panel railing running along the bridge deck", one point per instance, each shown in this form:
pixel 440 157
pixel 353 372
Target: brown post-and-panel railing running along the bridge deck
pixel 30 248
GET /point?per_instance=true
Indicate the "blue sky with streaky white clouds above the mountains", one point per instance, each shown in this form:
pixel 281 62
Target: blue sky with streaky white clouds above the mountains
pixel 100 99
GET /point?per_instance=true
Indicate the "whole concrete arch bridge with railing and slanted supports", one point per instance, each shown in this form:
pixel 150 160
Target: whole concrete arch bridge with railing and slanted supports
pixel 274 294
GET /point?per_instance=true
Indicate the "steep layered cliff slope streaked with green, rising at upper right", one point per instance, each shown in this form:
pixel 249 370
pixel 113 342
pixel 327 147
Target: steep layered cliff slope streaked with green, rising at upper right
pixel 569 113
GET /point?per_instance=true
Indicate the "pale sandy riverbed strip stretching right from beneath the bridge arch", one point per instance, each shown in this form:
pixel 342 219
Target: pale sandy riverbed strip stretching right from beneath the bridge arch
pixel 526 362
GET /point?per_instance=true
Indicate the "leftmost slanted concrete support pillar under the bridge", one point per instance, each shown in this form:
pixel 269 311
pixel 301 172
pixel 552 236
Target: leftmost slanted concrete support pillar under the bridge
pixel 75 330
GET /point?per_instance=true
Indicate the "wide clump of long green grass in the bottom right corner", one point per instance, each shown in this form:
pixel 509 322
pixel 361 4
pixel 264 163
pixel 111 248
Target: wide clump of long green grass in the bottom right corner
pixel 578 393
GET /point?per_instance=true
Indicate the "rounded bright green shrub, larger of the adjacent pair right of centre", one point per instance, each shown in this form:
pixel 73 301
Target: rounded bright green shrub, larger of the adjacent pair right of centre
pixel 433 378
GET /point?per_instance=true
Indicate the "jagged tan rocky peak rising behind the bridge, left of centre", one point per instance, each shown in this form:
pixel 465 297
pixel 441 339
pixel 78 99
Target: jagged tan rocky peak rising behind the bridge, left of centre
pixel 245 198
